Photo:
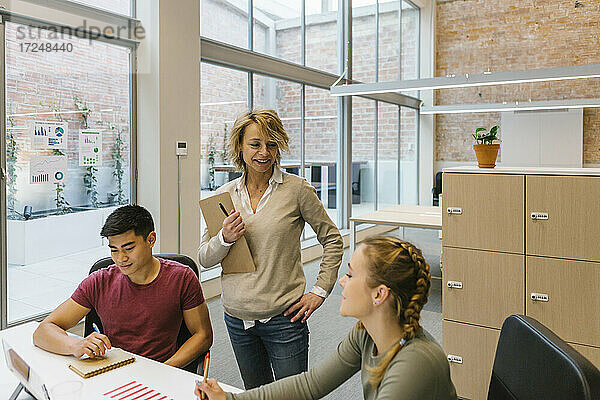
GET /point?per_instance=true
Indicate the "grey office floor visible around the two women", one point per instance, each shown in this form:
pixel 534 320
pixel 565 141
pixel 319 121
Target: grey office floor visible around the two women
pixel 326 325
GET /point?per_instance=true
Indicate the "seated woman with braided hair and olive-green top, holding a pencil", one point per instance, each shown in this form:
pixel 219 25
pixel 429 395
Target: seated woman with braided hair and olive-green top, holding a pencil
pixel 386 288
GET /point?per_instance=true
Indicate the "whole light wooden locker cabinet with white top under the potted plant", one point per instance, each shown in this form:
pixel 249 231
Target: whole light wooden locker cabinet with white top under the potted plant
pixel 518 241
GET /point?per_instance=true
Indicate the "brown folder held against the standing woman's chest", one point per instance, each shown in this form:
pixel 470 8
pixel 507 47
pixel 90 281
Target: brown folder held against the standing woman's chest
pixel 239 259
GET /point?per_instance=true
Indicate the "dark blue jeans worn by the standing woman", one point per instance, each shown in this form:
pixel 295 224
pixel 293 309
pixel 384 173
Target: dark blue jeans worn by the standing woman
pixel 278 346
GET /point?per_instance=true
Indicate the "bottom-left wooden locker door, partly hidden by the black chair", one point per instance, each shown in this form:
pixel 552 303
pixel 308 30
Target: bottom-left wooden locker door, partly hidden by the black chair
pixel 476 348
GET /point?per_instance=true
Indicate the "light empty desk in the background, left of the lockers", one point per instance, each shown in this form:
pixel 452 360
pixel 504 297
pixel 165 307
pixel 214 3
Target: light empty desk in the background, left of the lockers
pixel 403 215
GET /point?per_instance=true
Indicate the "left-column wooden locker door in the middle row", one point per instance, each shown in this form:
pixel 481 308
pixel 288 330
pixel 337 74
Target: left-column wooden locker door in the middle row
pixel 493 285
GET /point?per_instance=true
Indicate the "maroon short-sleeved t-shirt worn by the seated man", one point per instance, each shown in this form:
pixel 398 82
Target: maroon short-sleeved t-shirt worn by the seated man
pixel 142 319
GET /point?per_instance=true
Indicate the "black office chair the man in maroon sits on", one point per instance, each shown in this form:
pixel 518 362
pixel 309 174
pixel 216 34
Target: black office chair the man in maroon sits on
pixel 184 333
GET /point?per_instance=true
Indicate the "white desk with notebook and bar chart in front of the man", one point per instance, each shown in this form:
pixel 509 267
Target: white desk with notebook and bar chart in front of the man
pixel 53 368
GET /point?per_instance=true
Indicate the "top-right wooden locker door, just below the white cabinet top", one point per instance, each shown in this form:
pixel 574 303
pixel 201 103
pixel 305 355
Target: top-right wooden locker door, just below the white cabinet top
pixel 572 206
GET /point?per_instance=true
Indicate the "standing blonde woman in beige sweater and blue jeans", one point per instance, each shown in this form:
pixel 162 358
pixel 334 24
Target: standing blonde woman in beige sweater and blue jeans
pixel 266 310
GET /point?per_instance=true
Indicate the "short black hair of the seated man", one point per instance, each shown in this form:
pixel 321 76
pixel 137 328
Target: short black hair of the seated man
pixel 127 218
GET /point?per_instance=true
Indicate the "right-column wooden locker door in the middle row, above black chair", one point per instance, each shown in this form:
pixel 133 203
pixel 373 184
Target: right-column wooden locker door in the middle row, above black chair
pixel 571 307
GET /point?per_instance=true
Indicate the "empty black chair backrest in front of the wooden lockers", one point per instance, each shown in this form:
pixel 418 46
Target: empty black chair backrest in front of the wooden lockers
pixel 533 363
